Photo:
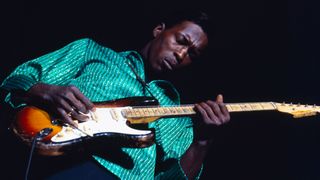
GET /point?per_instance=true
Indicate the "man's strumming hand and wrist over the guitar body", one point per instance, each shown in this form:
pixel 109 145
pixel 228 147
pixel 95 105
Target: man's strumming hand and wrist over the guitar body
pixel 66 102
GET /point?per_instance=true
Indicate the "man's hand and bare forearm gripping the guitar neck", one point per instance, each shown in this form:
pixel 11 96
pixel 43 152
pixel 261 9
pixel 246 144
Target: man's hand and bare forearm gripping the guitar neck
pixel 211 114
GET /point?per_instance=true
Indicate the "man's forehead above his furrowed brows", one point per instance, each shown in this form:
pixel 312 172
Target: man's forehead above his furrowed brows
pixel 193 31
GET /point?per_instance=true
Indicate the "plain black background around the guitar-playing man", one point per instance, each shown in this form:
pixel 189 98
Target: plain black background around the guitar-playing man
pixel 261 51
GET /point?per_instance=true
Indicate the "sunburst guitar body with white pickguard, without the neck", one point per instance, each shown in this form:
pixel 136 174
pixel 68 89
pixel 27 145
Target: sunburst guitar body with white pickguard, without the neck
pixel 106 125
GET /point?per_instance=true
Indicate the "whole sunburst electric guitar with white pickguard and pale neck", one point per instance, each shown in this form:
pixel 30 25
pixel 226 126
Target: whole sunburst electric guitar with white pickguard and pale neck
pixel 111 122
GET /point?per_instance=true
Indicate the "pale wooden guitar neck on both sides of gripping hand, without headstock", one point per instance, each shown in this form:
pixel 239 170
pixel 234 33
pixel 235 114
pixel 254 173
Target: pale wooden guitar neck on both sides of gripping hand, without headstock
pixel 185 110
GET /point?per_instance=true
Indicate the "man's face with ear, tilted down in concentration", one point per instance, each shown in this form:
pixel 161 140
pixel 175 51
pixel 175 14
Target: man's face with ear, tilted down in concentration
pixel 176 47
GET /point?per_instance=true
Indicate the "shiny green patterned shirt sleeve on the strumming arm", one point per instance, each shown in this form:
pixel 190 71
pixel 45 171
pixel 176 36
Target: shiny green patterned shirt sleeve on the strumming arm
pixel 54 68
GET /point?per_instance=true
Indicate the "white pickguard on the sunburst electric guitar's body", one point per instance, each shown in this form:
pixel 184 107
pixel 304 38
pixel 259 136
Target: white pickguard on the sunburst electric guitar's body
pixel 103 120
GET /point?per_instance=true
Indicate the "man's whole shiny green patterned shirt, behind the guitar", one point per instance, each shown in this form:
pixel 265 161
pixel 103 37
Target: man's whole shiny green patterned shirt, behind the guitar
pixel 102 74
